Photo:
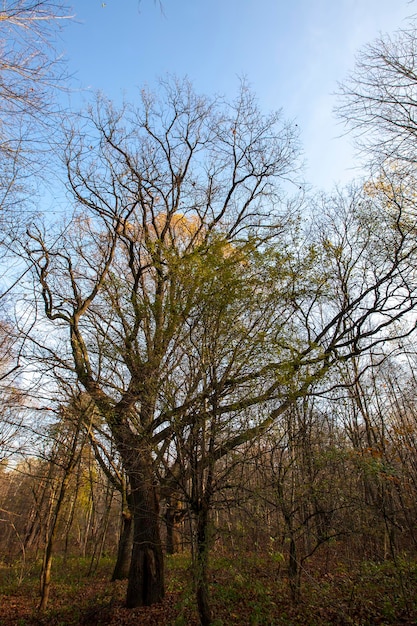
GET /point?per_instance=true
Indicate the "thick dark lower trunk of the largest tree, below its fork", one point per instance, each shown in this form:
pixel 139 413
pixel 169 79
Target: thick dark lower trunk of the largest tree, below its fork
pixel 146 574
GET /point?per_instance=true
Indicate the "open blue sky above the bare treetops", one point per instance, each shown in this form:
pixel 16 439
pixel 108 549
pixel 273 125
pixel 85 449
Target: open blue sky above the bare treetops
pixel 293 53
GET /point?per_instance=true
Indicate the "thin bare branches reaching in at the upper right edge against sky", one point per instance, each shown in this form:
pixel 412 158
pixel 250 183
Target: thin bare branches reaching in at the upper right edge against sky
pixel 378 101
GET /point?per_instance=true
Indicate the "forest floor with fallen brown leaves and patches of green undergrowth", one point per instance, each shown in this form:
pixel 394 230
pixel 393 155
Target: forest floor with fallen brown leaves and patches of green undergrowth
pixel 250 591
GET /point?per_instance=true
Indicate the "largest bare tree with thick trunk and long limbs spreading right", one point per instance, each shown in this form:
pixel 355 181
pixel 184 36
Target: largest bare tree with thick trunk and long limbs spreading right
pixel 181 300
